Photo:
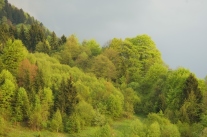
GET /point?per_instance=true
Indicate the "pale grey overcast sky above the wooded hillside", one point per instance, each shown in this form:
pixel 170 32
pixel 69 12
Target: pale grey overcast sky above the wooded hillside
pixel 178 27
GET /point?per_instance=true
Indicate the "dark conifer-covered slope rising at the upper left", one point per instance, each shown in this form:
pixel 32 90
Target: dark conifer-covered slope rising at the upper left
pixel 31 32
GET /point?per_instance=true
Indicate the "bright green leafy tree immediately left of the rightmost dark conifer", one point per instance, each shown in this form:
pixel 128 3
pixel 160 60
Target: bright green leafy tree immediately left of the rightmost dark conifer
pixel 172 90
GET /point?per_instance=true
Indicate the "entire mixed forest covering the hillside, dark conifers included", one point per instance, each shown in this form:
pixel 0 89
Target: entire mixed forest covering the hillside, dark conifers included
pixel 62 85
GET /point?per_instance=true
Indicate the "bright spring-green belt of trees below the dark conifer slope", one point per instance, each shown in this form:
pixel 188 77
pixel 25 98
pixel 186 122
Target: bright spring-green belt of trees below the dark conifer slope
pixel 88 89
